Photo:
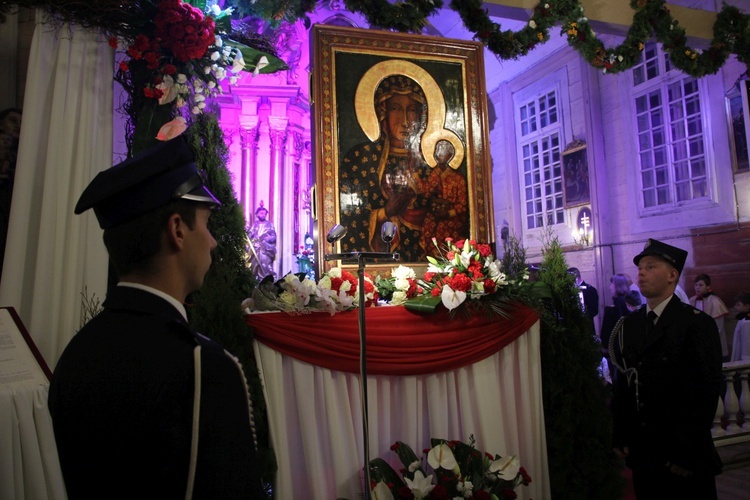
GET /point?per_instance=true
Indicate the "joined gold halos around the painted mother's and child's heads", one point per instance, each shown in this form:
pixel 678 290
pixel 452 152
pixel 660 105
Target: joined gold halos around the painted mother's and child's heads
pixel 364 106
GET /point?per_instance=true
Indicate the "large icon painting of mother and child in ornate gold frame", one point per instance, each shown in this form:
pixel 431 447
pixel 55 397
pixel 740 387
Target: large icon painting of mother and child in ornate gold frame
pixel 402 134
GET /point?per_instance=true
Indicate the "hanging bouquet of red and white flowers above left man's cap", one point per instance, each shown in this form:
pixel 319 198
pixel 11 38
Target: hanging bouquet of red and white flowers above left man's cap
pixel 175 61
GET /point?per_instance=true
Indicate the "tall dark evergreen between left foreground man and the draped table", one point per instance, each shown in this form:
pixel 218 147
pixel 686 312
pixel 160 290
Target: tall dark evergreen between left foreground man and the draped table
pixel 215 309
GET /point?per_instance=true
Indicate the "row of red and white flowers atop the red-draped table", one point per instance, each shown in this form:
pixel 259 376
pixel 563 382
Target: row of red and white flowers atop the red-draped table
pixel 465 277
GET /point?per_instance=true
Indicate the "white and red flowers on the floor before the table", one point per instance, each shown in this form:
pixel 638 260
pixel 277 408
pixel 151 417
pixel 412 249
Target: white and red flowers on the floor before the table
pixel 458 469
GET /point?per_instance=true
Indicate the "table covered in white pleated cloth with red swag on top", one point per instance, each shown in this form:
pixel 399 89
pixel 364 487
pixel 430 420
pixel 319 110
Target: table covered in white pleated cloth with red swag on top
pixel 429 375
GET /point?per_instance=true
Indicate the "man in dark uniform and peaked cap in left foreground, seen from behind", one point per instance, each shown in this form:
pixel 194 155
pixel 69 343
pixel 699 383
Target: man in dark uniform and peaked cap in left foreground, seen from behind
pixel 143 406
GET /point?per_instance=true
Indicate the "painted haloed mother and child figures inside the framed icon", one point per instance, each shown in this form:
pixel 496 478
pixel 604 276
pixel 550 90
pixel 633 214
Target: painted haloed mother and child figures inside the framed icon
pixel 408 172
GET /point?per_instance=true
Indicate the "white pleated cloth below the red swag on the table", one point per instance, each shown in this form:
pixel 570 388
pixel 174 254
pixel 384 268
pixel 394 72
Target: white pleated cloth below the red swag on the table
pixel 316 423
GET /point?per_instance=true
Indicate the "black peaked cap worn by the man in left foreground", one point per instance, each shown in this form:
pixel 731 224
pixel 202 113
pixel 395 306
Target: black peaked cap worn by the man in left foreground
pixel 145 182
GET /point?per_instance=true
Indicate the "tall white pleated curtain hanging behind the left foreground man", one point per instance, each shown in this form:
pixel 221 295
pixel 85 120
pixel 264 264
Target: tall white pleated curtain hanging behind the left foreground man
pixel 52 255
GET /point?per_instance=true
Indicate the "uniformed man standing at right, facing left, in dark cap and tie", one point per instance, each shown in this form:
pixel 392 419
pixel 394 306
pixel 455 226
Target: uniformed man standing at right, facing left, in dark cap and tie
pixel 666 392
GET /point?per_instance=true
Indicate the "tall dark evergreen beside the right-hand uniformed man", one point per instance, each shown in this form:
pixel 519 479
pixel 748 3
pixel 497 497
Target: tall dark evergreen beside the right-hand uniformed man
pixel 577 418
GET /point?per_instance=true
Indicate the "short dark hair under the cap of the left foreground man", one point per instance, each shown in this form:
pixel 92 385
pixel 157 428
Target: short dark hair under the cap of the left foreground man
pixel 132 245
